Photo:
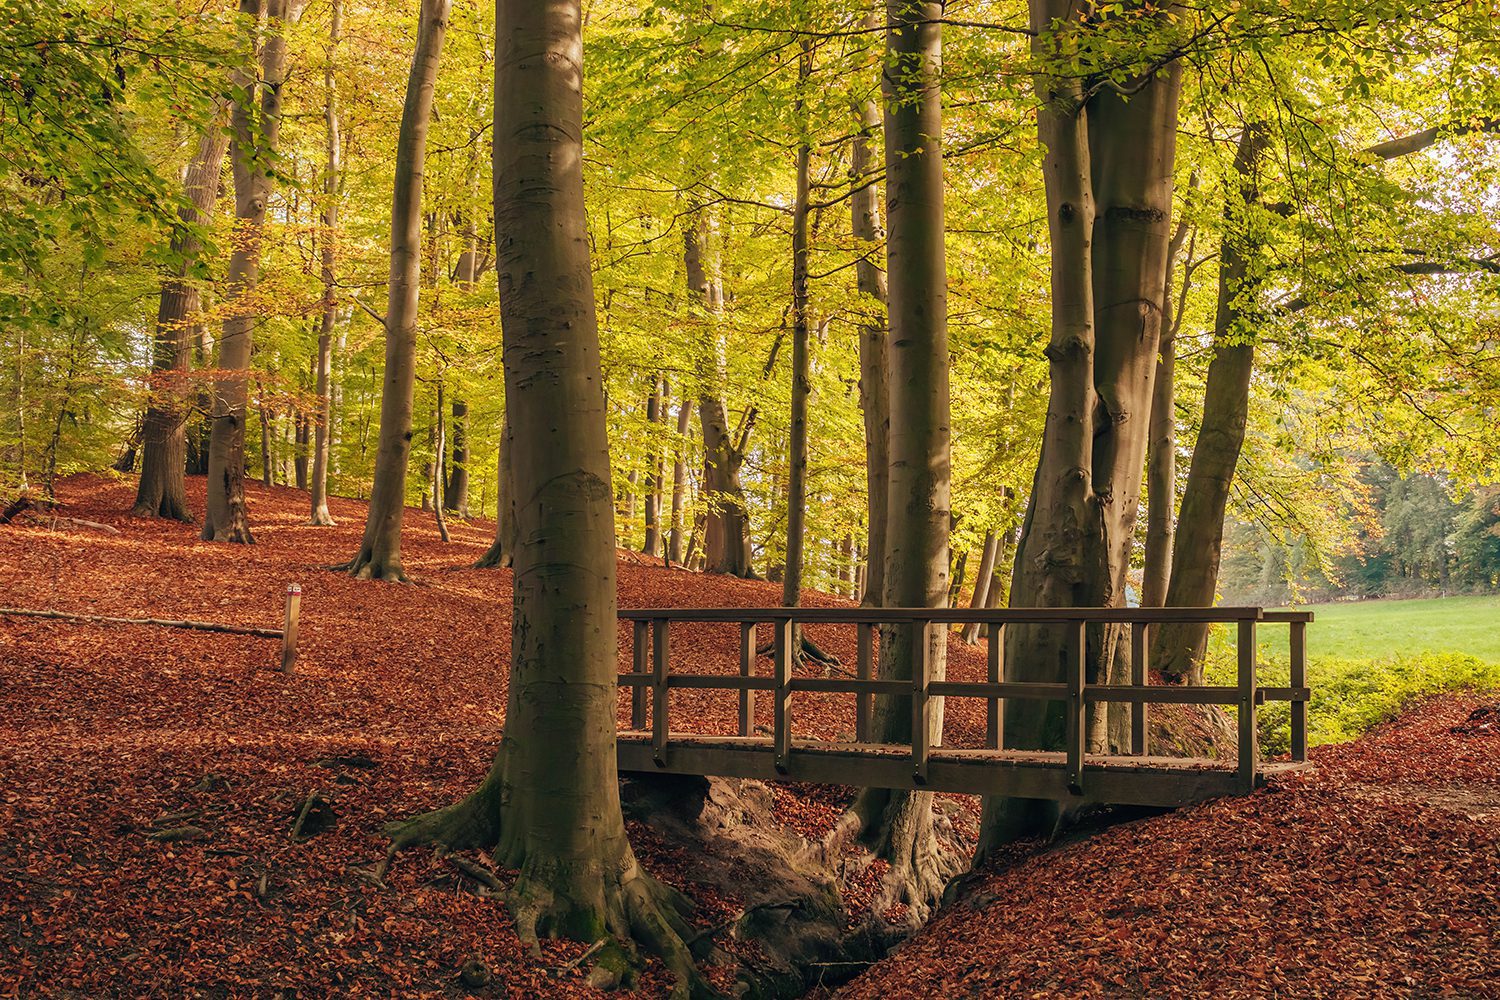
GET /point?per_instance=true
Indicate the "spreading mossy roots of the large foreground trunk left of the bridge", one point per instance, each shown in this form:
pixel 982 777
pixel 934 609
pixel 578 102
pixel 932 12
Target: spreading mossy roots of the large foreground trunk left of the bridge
pixel 613 899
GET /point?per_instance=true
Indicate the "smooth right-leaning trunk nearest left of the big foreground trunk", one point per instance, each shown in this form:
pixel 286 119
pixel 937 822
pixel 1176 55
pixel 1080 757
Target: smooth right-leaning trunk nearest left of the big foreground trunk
pixel 380 552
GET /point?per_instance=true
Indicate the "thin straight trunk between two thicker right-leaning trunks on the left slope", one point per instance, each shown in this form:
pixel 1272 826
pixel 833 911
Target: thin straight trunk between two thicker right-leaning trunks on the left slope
pixel 323 427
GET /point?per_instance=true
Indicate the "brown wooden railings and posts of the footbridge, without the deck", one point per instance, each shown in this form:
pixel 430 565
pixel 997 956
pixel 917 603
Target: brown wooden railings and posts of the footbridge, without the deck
pixel 653 677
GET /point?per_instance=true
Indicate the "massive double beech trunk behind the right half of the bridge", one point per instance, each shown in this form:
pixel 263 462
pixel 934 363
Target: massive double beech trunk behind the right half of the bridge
pixel 1109 178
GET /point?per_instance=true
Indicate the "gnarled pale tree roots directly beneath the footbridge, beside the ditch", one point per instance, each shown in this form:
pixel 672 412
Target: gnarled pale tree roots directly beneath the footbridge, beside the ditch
pixel 902 830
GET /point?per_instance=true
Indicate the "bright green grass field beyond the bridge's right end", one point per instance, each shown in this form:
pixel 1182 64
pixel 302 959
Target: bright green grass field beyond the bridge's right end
pixel 1375 630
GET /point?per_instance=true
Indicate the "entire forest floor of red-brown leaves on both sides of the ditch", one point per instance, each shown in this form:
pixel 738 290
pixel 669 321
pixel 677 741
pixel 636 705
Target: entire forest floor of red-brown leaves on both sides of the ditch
pixel 151 780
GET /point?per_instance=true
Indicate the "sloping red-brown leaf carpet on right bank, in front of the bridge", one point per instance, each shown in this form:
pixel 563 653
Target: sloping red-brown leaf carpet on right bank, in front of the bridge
pixel 1376 875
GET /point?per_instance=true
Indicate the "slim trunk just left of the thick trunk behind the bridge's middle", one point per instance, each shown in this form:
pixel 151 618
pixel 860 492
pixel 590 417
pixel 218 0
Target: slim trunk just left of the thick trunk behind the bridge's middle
pixel 865 209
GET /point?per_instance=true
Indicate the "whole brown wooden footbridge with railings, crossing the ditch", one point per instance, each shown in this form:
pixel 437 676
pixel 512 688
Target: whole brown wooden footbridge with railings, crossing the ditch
pixel 1070 774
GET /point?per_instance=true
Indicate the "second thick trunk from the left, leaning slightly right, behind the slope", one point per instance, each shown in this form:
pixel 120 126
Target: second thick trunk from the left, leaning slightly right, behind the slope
pixel 253 149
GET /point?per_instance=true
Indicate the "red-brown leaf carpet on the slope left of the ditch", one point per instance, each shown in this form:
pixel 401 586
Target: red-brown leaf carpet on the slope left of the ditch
pixel 151 777
